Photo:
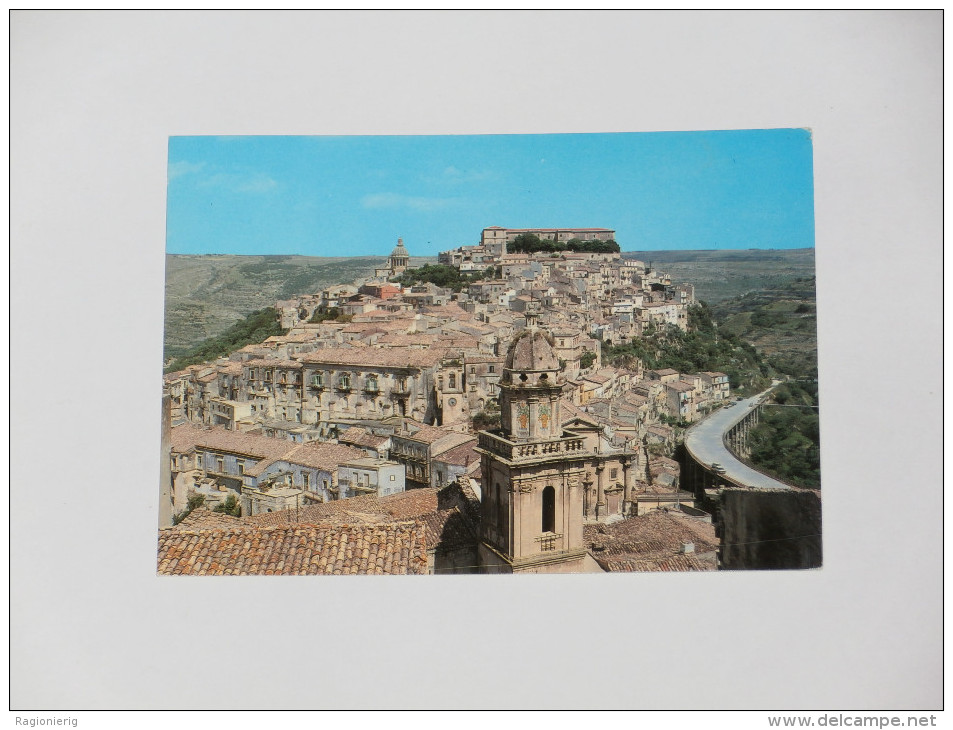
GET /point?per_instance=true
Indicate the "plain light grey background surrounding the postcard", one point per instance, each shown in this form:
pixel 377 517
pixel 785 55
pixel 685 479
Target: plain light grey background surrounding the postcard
pixel 95 96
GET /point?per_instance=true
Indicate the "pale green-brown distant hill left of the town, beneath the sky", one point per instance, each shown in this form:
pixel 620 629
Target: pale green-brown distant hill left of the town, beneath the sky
pixel 205 295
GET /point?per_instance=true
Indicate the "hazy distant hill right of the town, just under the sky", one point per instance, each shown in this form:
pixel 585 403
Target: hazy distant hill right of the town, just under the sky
pixel 719 275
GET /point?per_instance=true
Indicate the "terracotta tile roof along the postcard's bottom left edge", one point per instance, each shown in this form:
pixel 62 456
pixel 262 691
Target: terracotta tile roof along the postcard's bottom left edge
pixel 395 548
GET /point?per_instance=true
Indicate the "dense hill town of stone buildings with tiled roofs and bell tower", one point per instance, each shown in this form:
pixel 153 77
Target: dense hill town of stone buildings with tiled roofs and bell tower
pixel 415 429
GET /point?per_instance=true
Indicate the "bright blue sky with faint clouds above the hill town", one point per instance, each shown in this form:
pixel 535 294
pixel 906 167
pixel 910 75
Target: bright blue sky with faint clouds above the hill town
pixel 349 196
